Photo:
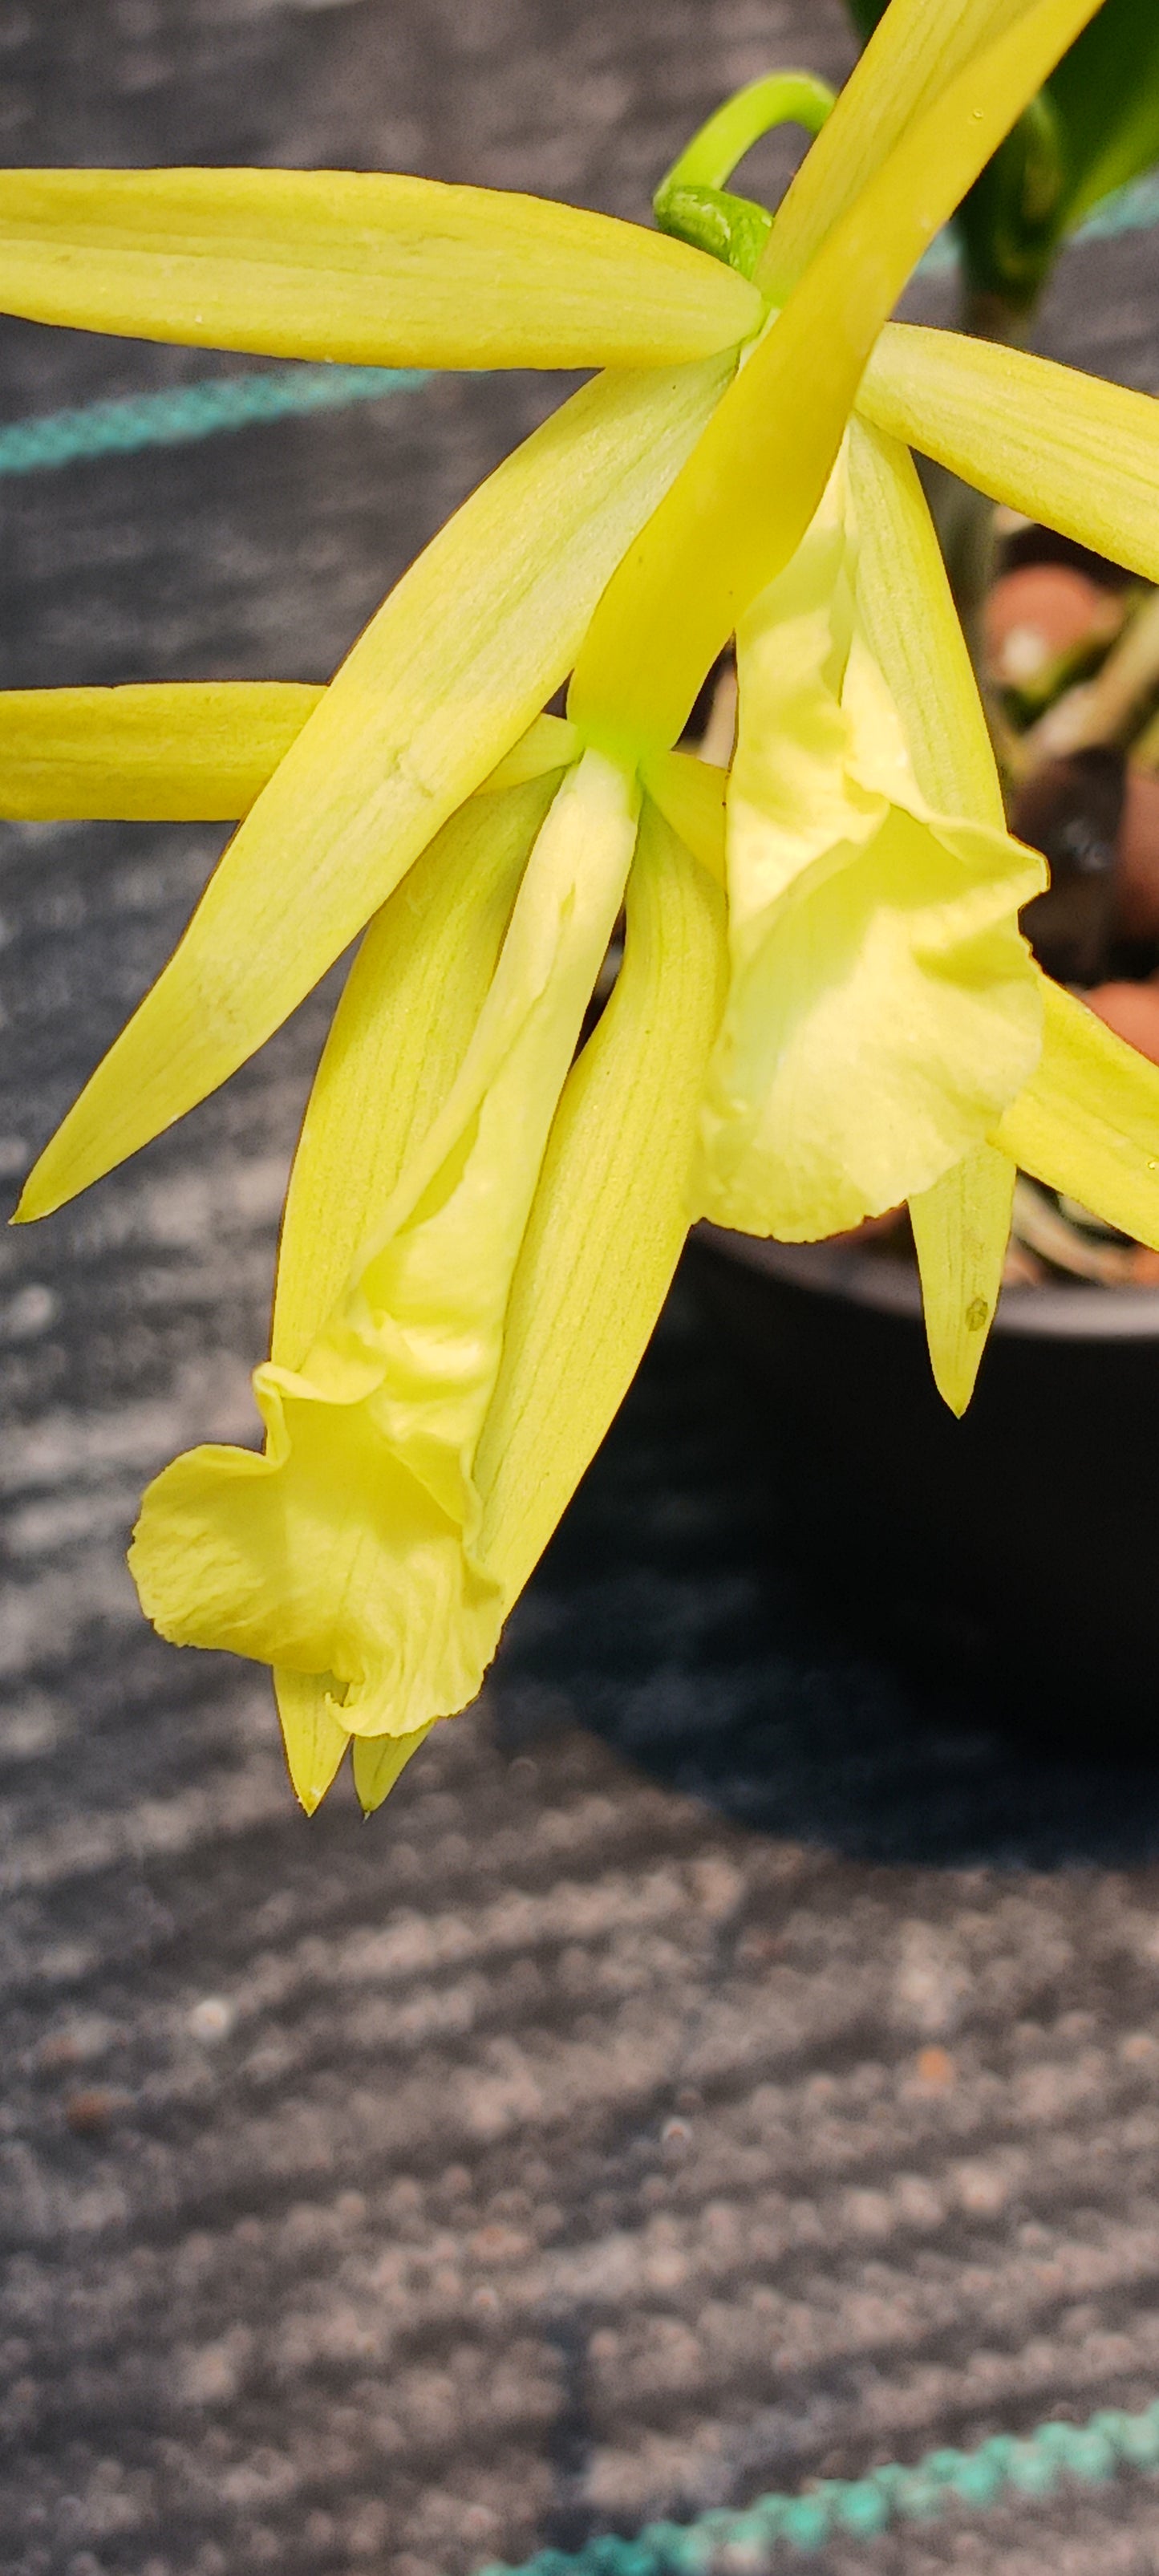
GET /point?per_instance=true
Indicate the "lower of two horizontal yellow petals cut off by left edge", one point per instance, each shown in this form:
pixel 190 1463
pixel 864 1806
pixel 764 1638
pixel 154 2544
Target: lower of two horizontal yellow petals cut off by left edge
pixel 174 751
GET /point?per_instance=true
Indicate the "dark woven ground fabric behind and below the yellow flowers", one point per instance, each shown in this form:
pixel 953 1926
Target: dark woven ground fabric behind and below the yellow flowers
pixel 733 2054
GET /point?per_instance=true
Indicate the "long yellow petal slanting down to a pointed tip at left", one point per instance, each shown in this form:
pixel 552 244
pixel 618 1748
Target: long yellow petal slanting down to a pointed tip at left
pixel 444 681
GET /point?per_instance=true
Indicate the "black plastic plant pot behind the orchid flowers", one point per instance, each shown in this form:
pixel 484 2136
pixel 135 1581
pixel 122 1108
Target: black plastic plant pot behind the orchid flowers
pixel 1024 1539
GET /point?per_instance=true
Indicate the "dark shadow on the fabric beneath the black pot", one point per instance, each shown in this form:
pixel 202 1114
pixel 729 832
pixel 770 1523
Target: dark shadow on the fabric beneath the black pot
pixel 681 1619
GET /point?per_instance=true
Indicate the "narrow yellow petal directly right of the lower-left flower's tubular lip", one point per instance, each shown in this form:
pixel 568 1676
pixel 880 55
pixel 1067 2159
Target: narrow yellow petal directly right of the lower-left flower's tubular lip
pixel 612 1209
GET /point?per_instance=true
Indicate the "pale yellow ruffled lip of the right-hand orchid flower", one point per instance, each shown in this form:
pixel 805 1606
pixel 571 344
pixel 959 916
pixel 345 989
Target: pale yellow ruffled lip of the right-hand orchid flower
pixel 882 1006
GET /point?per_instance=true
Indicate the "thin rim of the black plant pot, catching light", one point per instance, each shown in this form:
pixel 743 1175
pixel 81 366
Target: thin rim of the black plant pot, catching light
pixel 1083 1312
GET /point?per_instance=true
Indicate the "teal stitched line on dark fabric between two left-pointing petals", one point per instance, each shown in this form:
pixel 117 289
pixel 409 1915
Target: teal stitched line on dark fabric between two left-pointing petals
pixel 194 411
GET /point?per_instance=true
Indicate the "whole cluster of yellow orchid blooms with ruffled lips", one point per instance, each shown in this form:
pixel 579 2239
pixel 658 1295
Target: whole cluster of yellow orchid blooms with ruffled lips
pixel 825 1003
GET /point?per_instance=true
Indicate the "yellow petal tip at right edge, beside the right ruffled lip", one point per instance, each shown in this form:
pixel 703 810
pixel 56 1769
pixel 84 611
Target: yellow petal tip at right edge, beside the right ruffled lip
pixel 1088 1122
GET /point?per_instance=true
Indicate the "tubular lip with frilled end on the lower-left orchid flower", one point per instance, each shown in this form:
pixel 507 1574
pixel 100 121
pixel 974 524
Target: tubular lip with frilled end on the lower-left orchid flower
pixel 352 1549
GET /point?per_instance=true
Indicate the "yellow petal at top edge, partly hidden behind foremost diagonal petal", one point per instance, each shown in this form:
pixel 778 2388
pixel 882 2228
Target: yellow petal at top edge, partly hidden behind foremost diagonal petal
pixel 908 63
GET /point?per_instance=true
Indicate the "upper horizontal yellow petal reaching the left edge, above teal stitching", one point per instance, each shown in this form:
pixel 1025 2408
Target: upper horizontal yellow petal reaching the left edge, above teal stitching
pixel 359 267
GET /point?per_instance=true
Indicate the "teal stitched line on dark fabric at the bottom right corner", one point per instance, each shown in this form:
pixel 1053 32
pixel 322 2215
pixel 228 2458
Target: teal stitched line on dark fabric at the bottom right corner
pixel 753 2541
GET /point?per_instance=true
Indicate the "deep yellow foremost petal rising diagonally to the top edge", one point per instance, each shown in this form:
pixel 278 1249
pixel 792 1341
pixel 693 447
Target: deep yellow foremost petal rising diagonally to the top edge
pixel 756 478
